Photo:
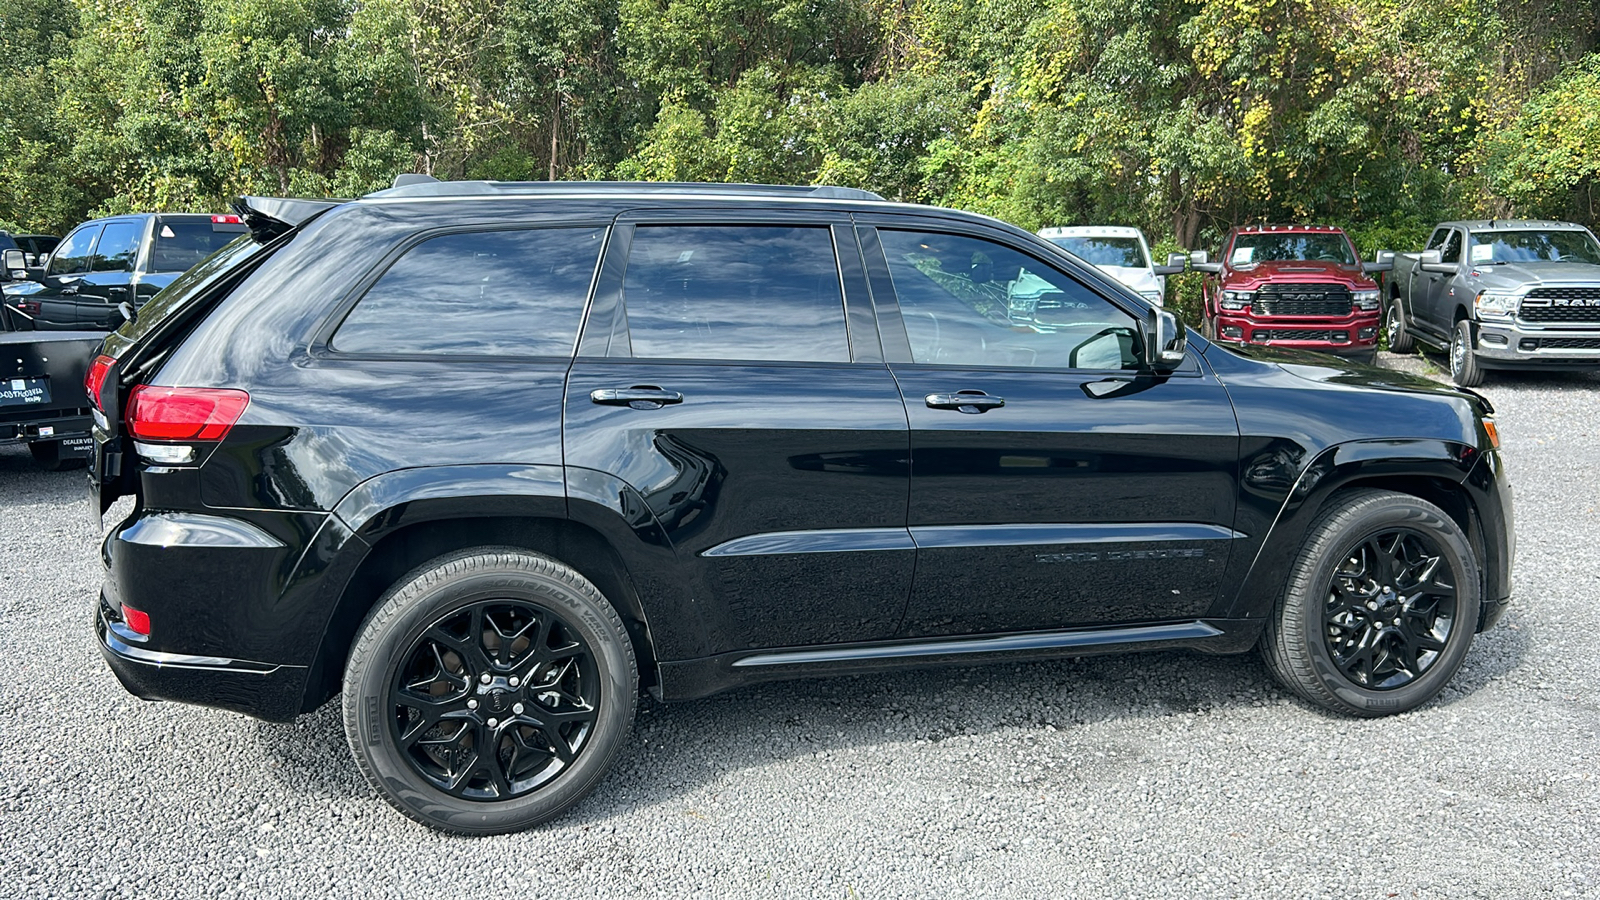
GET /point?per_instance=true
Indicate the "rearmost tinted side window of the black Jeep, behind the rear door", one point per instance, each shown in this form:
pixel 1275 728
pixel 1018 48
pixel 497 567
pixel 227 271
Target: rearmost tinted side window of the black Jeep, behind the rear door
pixel 497 294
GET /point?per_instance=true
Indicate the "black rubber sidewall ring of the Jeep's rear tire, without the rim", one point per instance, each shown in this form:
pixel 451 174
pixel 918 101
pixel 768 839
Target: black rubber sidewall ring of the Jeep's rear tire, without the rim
pixel 401 622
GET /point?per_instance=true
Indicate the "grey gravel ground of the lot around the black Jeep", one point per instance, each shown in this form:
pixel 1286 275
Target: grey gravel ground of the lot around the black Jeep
pixel 1151 776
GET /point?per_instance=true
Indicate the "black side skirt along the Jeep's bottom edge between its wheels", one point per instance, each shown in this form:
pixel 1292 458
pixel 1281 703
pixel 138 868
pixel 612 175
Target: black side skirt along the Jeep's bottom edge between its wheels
pixel 692 680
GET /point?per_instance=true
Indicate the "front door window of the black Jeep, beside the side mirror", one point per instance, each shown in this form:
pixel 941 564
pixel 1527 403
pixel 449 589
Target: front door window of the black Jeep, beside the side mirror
pixel 969 302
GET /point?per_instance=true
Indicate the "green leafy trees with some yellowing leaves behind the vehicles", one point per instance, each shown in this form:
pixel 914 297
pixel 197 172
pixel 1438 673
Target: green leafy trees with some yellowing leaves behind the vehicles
pixel 1177 116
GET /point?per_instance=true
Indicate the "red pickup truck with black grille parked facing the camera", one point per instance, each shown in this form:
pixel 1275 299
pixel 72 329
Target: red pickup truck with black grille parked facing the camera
pixel 1294 286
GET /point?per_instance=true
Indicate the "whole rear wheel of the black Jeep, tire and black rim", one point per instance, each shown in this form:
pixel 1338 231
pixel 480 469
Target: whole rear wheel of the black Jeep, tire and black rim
pixel 489 635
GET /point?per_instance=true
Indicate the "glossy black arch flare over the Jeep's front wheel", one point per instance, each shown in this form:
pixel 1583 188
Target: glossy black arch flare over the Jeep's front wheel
pixel 1422 465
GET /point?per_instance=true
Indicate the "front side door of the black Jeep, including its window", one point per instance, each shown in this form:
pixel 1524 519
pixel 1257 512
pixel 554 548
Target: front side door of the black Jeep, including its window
pixel 1054 484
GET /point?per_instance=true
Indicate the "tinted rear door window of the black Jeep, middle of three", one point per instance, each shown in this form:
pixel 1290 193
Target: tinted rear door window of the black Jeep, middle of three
pixel 735 292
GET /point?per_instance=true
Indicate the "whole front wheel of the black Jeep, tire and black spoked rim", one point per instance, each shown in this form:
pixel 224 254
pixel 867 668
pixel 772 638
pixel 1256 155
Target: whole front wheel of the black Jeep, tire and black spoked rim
pixel 1345 638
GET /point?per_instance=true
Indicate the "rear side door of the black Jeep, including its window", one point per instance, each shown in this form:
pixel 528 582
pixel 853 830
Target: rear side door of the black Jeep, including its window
pixel 730 379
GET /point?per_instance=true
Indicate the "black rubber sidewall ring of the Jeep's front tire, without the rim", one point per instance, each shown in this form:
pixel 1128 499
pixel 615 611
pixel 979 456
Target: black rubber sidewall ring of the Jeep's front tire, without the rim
pixel 1458 555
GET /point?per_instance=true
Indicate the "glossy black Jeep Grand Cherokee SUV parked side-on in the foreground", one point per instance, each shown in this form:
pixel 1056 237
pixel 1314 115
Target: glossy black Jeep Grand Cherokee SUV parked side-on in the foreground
pixel 489 459
